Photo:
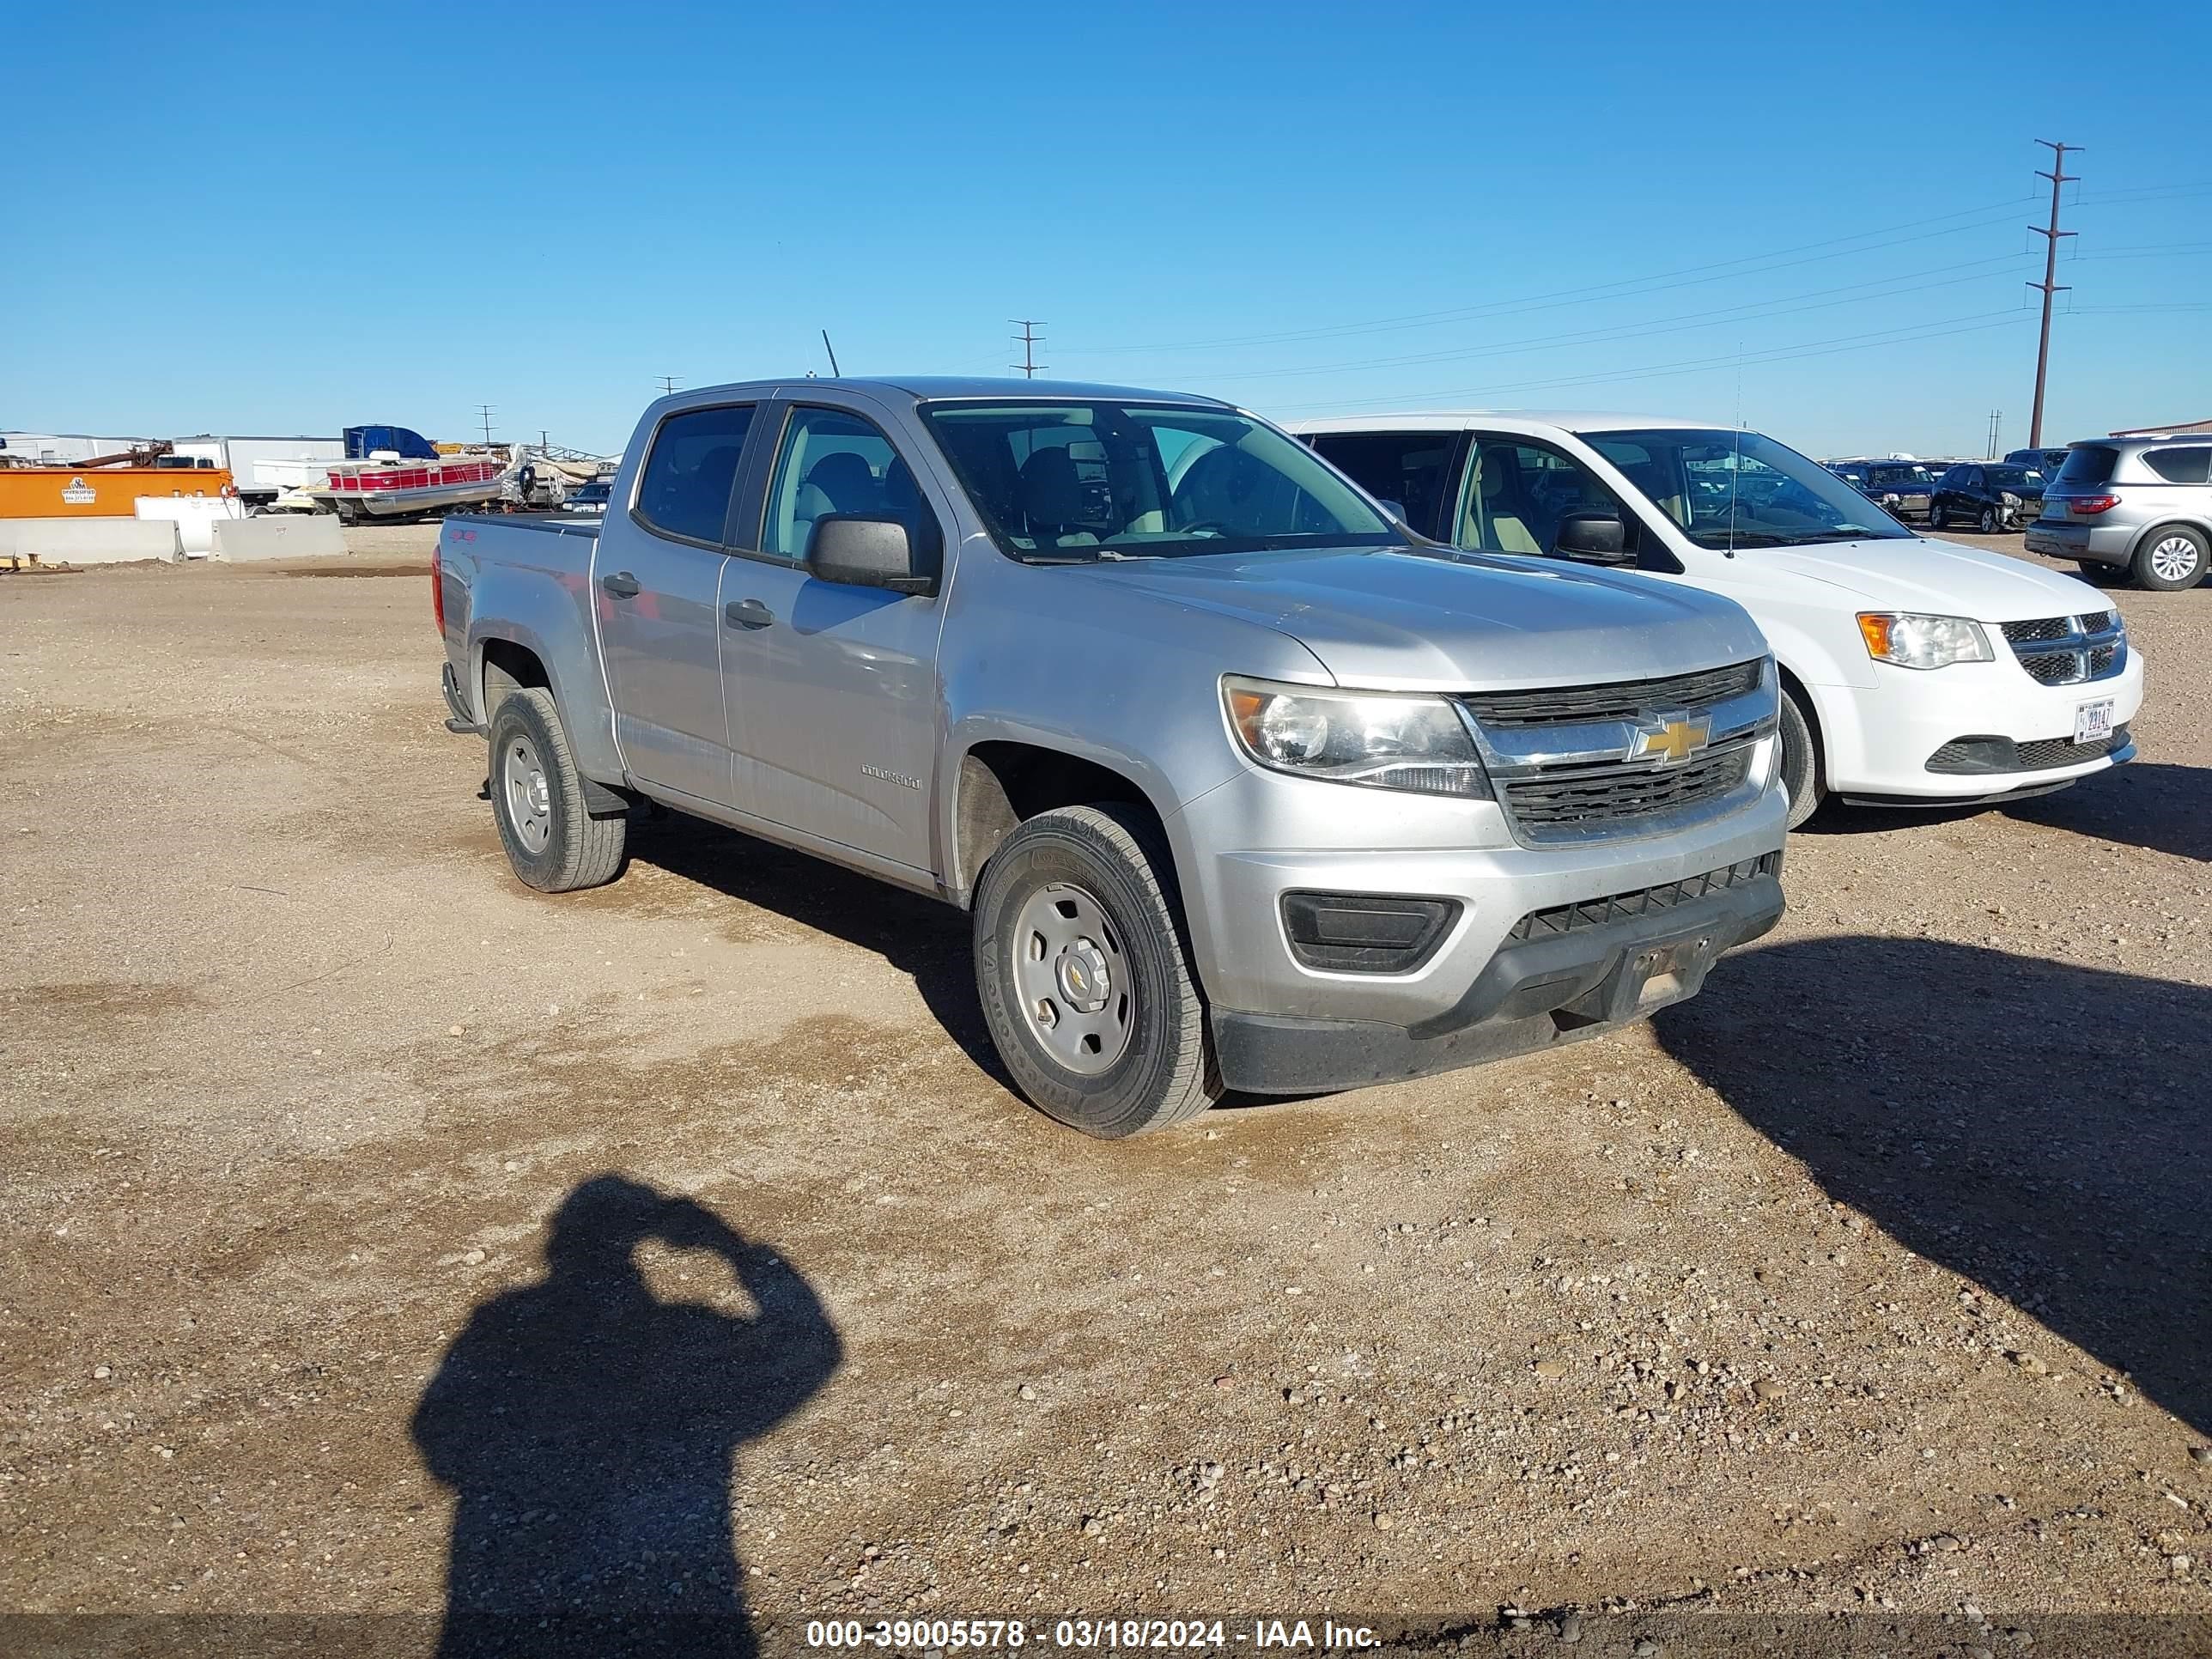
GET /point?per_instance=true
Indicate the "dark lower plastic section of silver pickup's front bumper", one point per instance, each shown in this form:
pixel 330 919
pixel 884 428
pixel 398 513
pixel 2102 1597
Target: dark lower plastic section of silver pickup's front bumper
pixel 1534 994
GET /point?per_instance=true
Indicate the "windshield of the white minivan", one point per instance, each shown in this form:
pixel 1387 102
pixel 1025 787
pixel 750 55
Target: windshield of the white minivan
pixel 1738 490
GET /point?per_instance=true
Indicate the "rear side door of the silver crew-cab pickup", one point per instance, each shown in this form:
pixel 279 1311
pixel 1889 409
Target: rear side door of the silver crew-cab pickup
pixel 656 587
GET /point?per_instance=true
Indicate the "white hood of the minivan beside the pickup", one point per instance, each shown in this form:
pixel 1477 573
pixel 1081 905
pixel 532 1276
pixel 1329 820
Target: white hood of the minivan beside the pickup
pixel 1926 574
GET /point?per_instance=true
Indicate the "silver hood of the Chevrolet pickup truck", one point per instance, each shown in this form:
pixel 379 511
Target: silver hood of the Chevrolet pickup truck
pixel 1399 620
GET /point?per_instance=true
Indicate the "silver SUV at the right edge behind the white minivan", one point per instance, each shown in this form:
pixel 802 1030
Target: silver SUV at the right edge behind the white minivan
pixel 2142 505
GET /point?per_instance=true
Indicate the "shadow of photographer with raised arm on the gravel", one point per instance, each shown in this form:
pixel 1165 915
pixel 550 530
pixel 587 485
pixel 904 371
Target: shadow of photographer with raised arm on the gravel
pixel 589 1430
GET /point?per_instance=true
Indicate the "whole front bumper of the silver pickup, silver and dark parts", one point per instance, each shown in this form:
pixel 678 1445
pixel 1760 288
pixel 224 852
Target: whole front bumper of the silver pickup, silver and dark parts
pixel 1536 946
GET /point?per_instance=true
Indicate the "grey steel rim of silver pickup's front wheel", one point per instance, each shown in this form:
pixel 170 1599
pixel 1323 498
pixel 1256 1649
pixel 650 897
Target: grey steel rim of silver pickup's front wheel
pixel 1076 979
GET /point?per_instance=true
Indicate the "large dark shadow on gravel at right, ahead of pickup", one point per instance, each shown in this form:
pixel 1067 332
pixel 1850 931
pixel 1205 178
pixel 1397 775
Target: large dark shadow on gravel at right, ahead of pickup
pixel 2034 1127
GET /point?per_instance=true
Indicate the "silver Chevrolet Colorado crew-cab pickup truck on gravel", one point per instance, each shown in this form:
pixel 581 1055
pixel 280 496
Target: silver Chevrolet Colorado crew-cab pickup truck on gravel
pixel 1246 786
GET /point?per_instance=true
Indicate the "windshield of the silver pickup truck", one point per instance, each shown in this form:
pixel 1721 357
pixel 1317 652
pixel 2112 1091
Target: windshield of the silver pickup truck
pixel 1076 481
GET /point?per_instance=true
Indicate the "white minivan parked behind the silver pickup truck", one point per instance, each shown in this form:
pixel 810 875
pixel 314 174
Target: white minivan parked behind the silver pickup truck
pixel 1917 671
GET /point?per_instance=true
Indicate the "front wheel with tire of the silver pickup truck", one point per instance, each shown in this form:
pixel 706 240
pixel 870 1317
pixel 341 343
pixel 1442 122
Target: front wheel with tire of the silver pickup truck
pixel 1085 979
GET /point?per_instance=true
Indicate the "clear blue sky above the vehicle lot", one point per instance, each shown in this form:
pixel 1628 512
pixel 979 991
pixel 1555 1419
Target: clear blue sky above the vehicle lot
pixel 289 220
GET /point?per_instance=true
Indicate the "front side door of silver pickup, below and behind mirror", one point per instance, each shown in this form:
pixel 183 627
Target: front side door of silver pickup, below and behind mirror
pixel 833 689
